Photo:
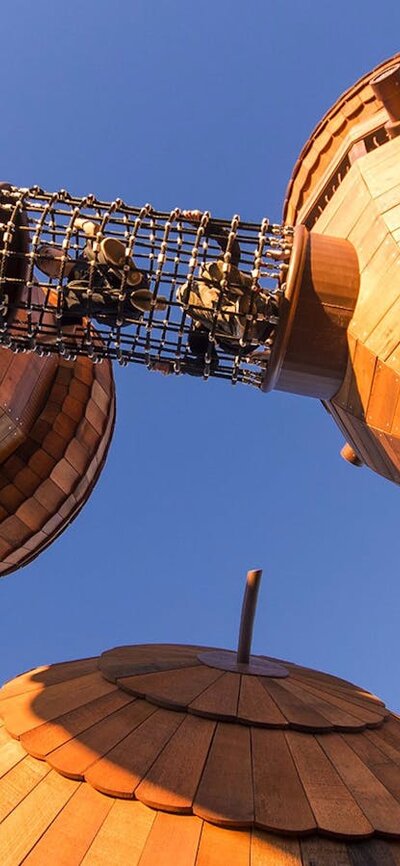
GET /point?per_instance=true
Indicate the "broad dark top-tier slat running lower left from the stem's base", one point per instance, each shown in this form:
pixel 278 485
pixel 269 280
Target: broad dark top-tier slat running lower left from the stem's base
pixel 173 688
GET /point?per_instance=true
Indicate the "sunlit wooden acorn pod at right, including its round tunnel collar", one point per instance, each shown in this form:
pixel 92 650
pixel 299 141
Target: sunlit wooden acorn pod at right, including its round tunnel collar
pixel 346 187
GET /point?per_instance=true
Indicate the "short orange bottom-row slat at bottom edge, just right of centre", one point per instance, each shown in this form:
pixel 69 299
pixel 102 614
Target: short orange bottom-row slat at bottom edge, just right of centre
pixel 220 847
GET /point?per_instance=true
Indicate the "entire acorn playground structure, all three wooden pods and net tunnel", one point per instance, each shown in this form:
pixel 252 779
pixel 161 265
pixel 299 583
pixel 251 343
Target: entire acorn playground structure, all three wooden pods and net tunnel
pixel 200 755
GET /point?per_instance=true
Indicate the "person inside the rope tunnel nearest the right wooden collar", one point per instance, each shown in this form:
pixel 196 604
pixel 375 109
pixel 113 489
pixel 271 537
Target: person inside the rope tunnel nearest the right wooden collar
pixel 245 315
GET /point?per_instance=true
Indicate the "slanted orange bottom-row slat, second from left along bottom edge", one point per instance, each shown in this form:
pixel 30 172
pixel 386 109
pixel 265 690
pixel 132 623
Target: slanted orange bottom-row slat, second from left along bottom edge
pixel 68 838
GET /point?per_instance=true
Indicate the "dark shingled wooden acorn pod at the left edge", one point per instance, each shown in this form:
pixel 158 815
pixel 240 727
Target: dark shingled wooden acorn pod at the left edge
pixel 56 423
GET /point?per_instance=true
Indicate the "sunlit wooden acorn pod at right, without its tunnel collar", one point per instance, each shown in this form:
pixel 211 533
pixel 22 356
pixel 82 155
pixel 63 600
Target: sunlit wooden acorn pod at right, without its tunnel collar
pixel 346 185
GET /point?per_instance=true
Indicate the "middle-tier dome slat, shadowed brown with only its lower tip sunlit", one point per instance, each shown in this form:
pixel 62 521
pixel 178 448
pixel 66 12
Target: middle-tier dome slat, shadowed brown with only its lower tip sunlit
pixel 124 767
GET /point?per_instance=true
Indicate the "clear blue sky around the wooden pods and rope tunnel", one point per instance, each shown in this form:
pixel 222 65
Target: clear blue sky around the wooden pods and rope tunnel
pixel 201 106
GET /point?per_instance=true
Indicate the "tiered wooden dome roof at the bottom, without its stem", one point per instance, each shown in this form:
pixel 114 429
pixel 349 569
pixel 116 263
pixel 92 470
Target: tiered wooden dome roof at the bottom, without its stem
pixel 148 755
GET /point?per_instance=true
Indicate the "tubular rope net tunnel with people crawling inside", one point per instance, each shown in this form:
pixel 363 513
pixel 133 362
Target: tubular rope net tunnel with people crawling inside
pixel 180 292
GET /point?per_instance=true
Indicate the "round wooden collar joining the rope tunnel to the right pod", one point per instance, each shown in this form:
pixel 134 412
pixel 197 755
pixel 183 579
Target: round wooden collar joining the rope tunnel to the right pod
pixel 311 351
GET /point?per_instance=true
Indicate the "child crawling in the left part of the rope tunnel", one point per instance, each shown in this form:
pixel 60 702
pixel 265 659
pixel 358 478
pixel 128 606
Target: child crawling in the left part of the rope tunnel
pixel 93 280
